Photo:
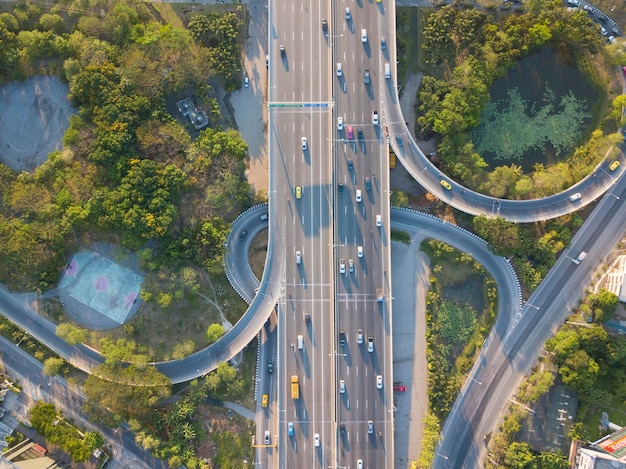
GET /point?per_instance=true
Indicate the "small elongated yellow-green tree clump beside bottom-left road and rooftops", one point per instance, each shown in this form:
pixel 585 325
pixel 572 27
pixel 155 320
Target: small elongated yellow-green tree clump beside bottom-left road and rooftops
pixel 45 420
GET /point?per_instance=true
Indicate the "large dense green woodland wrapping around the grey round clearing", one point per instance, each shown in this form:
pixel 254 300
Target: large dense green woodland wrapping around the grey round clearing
pixel 129 171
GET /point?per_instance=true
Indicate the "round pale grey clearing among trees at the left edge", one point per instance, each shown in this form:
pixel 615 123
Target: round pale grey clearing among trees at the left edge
pixel 34 115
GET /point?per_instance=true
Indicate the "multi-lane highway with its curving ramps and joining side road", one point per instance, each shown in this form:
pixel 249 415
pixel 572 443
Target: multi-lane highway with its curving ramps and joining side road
pixel 328 262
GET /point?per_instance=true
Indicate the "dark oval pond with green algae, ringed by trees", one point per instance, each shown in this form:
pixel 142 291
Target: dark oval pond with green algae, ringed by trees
pixel 537 113
